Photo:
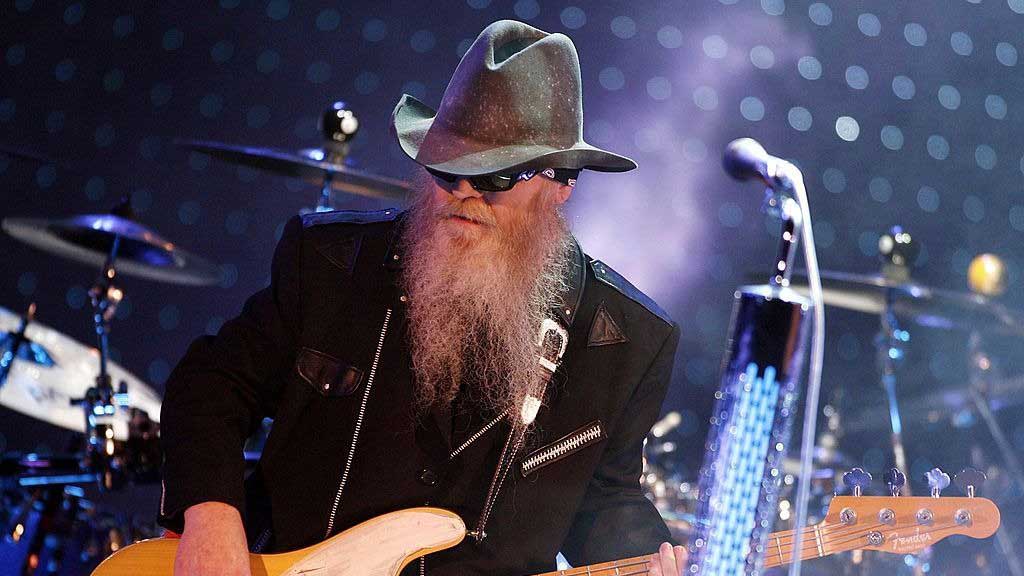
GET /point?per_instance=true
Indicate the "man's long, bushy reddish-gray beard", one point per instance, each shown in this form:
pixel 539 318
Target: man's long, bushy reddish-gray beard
pixel 475 313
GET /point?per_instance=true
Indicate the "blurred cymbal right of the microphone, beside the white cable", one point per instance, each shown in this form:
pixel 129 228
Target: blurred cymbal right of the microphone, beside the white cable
pixel 928 307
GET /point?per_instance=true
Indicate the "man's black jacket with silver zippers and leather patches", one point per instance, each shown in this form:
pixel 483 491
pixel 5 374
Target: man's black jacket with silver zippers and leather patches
pixel 324 352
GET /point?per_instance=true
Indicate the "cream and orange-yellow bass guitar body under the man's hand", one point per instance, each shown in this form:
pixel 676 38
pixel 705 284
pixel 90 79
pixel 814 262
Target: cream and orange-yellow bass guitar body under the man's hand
pixel 380 547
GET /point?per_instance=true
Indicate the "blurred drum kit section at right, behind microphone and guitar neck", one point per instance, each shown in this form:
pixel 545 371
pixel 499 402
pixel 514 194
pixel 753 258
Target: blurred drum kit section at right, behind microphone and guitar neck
pixel 975 319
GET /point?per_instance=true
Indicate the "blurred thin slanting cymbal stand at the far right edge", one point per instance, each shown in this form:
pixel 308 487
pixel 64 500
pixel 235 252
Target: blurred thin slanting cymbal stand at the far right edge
pixel 980 371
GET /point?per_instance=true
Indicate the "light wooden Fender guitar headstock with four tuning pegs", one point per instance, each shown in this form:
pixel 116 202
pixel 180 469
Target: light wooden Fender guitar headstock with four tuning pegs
pixel 905 524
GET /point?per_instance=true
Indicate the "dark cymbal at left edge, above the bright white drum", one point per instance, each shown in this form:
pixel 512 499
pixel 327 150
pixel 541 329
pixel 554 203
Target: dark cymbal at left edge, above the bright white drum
pixel 89 239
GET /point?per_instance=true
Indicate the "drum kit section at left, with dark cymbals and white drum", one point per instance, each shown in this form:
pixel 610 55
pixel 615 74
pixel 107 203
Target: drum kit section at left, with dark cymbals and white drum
pixel 49 524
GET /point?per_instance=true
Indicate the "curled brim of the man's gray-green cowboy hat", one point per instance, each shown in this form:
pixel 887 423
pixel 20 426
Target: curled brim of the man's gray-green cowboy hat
pixel 413 121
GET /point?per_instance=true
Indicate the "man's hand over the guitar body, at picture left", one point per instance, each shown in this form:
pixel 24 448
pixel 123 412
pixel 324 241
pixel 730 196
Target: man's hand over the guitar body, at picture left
pixel 214 543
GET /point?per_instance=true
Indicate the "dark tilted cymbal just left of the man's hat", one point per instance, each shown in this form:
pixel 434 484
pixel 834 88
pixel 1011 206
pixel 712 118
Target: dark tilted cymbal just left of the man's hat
pixel 313 166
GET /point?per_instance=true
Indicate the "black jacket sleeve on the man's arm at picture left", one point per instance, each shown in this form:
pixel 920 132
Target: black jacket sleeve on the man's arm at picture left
pixel 223 389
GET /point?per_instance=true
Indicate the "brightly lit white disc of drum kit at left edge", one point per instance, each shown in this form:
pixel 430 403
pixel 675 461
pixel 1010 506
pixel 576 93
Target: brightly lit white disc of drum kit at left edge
pixel 45 387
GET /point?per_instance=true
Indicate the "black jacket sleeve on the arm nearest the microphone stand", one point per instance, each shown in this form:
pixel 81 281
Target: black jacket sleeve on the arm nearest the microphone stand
pixel 616 520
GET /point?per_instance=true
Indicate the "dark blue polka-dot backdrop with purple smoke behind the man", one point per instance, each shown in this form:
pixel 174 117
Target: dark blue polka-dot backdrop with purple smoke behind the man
pixel 909 117
